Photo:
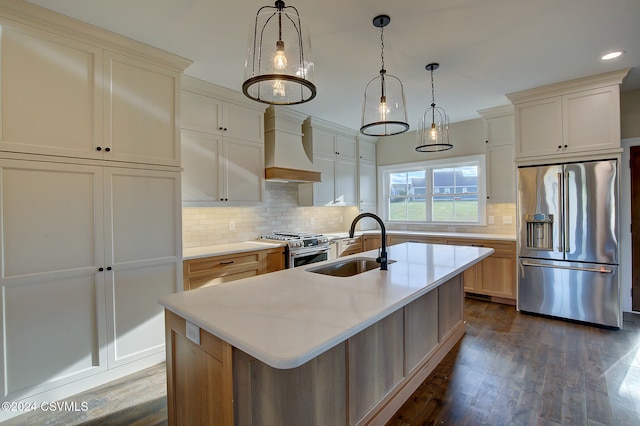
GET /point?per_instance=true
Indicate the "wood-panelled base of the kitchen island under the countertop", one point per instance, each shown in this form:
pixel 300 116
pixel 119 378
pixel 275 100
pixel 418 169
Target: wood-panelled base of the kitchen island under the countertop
pixel 361 381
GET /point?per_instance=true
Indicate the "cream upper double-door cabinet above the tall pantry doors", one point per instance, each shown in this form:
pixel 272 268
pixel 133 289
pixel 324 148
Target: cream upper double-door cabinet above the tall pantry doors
pixel 66 98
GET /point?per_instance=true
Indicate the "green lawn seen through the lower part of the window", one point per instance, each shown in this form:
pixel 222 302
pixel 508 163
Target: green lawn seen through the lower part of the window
pixel 443 211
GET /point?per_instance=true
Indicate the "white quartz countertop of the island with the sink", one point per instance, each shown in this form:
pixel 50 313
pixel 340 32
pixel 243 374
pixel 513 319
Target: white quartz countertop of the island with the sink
pixel 289 317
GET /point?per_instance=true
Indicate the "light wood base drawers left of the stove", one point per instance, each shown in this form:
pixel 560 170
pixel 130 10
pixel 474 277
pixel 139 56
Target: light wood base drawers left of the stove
pixel 212 270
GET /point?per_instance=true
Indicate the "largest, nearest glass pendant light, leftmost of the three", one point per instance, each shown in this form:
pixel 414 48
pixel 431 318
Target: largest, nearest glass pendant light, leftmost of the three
pixel 278 69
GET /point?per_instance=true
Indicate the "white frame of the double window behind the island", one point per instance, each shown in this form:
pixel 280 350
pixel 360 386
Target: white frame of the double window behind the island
pixel 429 166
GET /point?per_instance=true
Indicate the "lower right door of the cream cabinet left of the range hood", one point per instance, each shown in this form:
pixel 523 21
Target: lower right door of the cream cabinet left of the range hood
pixel 243 165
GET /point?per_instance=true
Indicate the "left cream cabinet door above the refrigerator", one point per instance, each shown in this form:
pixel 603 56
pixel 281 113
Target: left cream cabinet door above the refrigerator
pixel 539 127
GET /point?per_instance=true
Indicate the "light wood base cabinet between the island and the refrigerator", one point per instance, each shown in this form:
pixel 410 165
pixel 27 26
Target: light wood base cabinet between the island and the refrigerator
pixel 495 276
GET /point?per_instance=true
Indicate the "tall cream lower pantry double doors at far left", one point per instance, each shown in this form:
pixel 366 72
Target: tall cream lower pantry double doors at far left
pixel 85 253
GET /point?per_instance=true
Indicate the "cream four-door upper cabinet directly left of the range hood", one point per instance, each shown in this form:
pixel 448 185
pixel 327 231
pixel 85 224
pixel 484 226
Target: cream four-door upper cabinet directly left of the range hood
pixel 222 148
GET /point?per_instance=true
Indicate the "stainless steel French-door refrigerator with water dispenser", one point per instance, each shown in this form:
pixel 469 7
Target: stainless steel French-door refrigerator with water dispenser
pixel 568 241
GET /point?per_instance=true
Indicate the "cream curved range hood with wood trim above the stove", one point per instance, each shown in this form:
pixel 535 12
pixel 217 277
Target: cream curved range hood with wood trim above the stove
pixel 285 157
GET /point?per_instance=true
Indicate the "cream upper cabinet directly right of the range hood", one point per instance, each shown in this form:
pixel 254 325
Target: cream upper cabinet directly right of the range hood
pixel 333 152
